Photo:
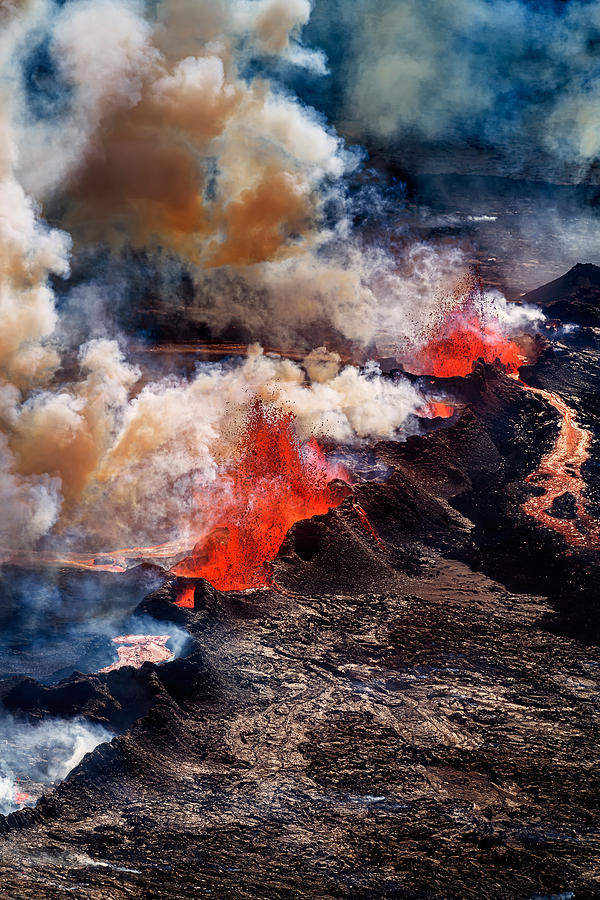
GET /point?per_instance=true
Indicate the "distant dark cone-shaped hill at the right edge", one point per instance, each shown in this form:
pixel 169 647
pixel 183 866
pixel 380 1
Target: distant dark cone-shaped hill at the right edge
pixel 574 297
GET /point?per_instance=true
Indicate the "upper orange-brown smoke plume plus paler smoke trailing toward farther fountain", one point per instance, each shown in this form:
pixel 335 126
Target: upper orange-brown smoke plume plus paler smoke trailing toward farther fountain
pixel 163 133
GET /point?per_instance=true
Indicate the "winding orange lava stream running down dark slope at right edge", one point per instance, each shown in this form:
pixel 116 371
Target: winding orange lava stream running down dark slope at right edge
pixel 559 473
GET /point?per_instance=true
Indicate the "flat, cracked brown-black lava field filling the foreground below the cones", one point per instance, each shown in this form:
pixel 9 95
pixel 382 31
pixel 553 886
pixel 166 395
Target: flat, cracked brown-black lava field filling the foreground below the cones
pixel 406 743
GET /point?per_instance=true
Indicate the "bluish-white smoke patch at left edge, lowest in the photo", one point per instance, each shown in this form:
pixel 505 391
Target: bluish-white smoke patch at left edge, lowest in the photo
pixel 37 756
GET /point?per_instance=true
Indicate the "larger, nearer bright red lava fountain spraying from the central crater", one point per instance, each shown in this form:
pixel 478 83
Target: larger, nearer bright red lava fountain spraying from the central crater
pixel 274 482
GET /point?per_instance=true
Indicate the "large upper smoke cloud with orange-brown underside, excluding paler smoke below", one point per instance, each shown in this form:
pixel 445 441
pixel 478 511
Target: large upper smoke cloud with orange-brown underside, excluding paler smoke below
pixel 162 138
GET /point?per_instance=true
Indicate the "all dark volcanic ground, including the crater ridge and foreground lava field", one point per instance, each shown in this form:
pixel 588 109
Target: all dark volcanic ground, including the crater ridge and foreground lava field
pixel 406 714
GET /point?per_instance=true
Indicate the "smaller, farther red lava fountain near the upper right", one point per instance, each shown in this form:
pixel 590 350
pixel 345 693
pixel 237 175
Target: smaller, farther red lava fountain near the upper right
pixel 467 330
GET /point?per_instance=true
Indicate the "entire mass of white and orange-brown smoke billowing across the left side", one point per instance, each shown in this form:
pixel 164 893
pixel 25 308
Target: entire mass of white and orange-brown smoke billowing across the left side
pixel 159 132
